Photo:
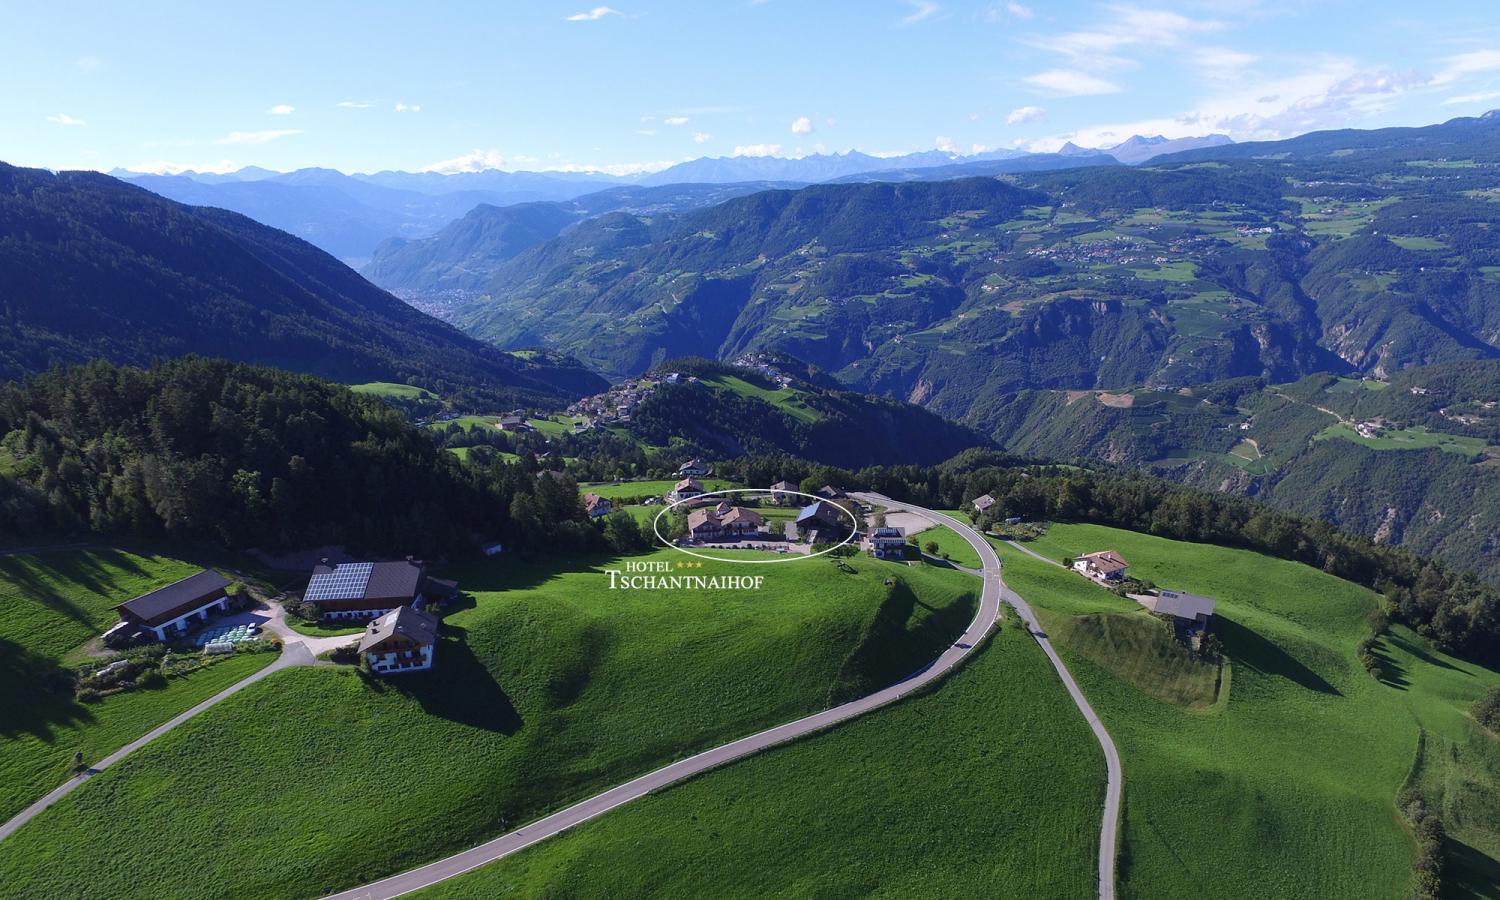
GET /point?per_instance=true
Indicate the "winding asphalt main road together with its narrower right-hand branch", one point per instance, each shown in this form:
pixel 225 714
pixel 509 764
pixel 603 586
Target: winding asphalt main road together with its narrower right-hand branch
pixel 599 805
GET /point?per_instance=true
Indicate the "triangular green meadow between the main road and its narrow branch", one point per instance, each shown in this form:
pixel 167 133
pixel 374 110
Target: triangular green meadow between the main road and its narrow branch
pixel 928 799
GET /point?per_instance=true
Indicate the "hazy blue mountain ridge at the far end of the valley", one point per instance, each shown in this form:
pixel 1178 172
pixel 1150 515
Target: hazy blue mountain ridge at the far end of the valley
pixel 466 254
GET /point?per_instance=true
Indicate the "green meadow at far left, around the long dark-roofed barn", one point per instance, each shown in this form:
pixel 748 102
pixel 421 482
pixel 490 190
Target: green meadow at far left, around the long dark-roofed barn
pixel 50 605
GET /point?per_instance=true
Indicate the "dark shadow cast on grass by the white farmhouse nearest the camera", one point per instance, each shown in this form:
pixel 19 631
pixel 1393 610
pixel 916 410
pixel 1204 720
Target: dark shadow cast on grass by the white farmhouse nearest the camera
pixel 458 688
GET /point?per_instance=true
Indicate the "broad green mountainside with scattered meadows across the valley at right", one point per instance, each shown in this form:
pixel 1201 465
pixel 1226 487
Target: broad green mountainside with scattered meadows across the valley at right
pixel 950 292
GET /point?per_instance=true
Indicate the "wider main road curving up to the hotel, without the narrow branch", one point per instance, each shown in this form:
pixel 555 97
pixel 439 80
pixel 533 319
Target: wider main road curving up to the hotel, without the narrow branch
pixel 599 805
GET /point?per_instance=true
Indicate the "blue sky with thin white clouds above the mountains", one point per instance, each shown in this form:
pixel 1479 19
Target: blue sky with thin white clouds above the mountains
pixel 641 85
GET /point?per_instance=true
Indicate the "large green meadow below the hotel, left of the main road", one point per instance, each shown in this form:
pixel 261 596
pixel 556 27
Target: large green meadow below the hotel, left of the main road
pixel 548 689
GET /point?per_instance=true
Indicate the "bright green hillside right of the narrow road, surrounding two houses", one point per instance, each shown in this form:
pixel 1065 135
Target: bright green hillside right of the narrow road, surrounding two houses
pixel 1286 785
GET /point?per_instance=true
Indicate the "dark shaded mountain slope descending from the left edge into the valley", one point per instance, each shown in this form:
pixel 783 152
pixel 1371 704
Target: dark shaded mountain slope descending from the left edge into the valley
pixel 95 268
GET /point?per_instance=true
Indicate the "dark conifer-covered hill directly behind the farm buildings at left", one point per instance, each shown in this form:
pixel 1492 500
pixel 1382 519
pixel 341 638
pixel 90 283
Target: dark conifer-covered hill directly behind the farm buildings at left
pixel 245 457
